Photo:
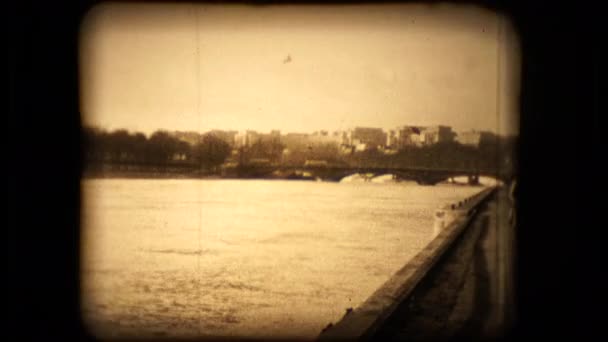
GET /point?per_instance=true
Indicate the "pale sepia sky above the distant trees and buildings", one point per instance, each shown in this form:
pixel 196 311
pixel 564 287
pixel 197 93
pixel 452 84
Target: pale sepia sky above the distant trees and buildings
pixel 297 68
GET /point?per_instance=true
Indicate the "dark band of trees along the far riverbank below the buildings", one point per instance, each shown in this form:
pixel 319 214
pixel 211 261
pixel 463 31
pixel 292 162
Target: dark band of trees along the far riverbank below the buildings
pixel 210 151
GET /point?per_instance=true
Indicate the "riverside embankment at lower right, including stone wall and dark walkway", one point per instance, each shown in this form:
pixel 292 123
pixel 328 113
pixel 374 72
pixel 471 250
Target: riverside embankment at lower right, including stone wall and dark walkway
pixel 466 293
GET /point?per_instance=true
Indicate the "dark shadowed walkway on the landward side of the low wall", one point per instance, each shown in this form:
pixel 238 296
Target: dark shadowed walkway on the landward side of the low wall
pixel 469 294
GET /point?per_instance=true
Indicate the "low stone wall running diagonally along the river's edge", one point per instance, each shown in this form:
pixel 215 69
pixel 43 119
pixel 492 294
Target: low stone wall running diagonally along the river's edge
pixel 364 321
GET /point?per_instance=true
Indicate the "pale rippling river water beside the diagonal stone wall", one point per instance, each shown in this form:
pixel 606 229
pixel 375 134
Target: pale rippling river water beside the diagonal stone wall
pixel 256 258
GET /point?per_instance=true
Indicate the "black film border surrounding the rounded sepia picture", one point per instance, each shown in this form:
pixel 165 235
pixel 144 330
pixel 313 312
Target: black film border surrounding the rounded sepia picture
pixel 43 164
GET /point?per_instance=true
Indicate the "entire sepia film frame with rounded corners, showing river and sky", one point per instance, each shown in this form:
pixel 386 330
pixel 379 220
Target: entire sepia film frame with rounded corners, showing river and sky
pixel 298 172
